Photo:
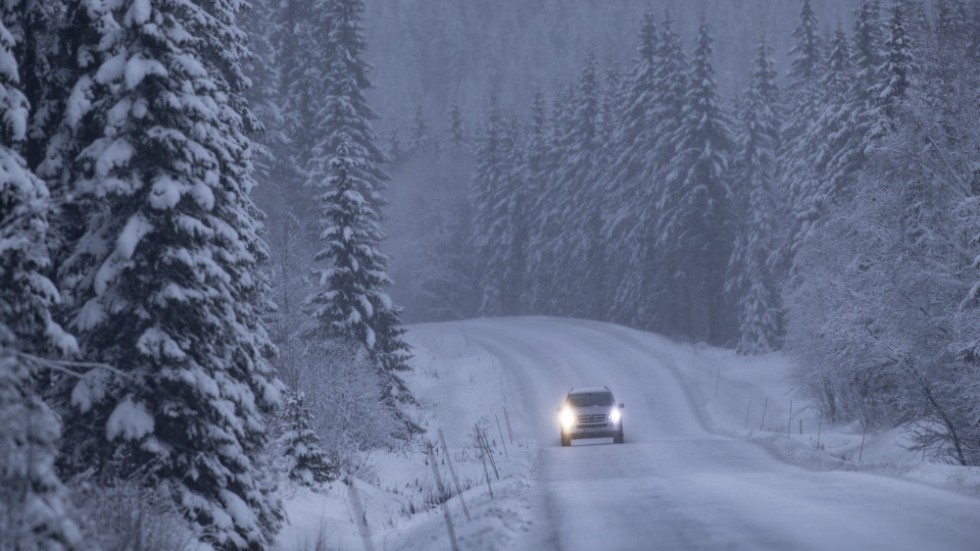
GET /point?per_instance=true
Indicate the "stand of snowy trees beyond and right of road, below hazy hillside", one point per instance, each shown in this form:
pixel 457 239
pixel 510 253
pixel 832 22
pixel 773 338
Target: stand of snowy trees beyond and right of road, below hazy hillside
pixel 824 205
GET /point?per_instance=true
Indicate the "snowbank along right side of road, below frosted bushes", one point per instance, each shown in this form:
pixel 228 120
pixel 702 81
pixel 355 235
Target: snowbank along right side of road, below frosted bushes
pixel 752 397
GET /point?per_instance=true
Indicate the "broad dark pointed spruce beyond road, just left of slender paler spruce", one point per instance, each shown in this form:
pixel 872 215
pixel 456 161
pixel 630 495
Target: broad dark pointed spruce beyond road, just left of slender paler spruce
pixel 695 213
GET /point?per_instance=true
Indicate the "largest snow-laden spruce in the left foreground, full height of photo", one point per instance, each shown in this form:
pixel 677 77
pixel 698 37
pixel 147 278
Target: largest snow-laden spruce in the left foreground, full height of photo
pixel 164 279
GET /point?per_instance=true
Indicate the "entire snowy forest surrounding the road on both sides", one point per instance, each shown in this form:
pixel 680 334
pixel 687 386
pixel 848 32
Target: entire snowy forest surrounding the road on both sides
pixel 217 216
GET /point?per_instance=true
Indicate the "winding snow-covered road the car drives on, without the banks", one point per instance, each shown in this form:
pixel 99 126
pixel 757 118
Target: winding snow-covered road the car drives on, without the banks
pixel 674 484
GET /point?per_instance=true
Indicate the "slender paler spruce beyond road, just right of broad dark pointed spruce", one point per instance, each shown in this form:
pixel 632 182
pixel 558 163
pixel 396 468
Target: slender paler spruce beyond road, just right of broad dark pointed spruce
pixel 750 277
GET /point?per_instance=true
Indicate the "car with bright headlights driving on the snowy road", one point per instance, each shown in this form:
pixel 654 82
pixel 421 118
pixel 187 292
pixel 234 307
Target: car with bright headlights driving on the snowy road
pixel 590 412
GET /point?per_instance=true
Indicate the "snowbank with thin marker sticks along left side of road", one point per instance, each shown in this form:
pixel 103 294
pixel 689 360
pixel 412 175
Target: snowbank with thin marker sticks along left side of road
pixel 460 388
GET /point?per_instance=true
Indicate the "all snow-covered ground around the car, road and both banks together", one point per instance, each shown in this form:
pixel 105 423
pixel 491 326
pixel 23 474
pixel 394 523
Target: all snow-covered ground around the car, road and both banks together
pixel 702 466
